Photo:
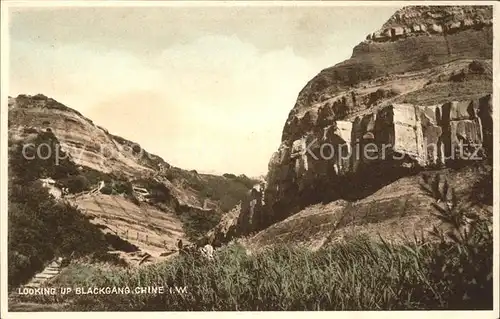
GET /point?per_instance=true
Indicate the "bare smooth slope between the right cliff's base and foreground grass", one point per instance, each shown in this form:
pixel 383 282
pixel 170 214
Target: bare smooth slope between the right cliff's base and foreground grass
pixel 398 210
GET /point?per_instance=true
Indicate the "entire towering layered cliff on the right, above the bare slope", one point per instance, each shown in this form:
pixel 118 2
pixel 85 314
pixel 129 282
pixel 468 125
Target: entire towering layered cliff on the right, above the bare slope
pixel 416 94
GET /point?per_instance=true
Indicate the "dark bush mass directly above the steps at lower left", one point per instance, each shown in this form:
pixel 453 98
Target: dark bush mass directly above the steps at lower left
pixel 41 228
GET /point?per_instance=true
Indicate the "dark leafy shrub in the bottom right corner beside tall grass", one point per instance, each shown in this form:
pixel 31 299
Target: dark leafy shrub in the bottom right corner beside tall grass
pixel 462 263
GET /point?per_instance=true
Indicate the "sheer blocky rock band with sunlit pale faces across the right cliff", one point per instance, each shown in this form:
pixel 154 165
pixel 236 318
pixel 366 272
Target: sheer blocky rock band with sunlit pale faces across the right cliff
pixel 396 137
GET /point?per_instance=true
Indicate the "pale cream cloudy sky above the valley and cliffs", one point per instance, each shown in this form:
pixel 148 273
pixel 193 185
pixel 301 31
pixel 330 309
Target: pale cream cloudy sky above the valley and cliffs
pixel 206 88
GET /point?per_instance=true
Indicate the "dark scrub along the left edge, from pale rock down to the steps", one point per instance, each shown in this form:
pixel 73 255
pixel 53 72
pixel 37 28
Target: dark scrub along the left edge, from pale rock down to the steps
pixel 40 228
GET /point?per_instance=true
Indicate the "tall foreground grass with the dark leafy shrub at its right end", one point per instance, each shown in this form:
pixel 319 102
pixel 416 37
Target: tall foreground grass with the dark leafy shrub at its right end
pixel 448 270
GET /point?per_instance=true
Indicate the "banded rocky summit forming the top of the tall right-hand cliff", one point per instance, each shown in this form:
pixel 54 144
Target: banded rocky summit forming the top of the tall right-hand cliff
pixel 406 43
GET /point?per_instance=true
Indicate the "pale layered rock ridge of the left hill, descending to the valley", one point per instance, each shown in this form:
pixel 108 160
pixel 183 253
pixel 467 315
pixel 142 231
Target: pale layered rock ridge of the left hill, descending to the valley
pixel 89 145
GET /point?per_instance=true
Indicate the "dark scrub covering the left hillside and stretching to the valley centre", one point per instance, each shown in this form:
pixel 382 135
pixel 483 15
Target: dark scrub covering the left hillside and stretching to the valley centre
pixel 41 228
